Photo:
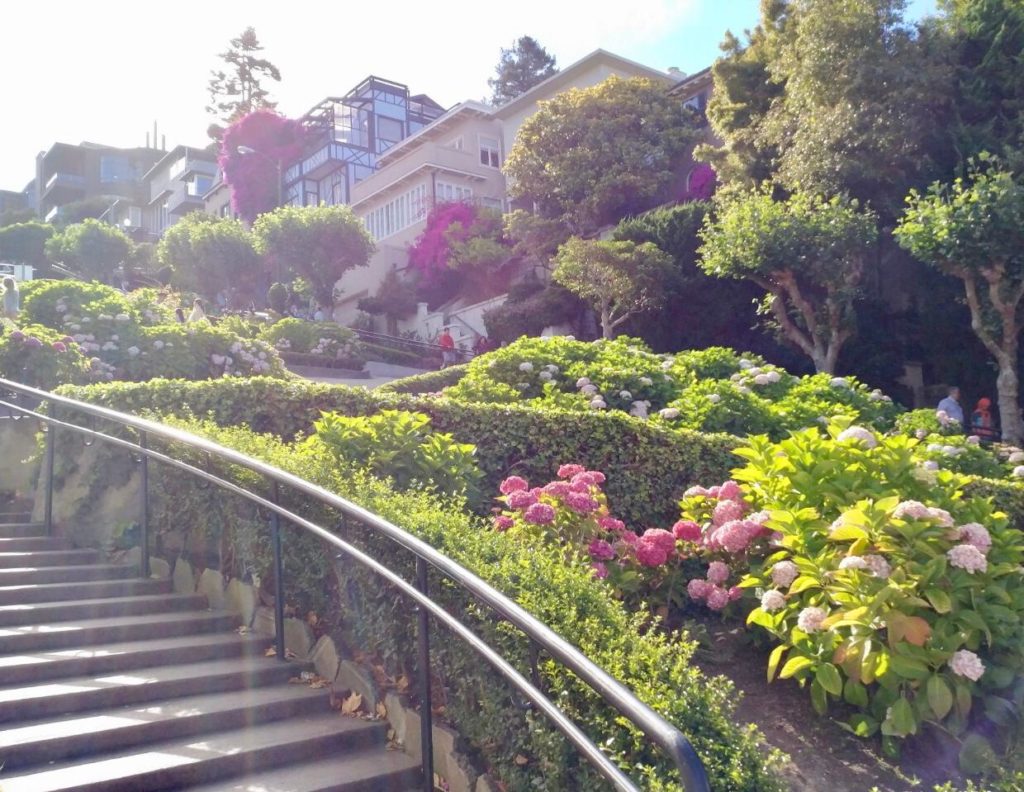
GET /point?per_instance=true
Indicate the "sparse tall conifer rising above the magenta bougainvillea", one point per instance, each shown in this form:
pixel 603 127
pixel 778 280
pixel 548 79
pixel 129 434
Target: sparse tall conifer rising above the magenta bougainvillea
pixel 238 89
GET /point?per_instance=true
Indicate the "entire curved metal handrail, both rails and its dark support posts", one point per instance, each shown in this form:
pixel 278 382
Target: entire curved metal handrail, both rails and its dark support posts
pixel 618 696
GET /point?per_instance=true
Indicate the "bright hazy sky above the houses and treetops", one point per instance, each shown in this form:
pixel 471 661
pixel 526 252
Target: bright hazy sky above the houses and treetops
pixel 106 71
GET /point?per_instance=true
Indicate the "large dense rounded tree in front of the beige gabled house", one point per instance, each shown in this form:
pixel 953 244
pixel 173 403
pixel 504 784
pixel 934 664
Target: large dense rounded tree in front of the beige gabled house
pixel 592 156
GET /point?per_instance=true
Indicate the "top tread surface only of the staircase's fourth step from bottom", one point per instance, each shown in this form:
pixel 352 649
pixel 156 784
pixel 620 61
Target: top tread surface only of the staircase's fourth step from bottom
pixel 125 651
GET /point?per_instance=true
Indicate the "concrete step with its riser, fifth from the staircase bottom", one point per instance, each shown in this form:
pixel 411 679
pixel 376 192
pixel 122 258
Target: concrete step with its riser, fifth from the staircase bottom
pixel 90 633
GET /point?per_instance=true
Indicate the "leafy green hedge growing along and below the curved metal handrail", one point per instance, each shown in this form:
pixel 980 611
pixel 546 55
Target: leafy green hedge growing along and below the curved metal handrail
pixel 505 737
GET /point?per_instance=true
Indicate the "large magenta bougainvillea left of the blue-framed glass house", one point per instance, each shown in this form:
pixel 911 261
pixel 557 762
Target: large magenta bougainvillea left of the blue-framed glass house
pixel 254 177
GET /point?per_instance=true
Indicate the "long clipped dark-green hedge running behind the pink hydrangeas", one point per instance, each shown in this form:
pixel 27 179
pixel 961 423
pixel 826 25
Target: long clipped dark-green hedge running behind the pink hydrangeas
pixel 649 468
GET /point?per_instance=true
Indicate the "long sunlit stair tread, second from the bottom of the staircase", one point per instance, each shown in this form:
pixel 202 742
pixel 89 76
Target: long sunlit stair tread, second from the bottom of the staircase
pixel 155 758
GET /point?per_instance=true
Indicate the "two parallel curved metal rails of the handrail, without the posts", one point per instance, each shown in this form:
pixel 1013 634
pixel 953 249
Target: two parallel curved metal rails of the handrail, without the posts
pixel 615 693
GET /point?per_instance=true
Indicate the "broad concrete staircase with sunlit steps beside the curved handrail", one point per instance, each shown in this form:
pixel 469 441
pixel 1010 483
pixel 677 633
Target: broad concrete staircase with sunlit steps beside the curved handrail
pixel 112 683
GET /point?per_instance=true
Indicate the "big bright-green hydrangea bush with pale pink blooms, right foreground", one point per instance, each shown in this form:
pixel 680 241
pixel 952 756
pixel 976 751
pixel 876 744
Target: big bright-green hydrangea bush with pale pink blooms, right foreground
pixel 873 537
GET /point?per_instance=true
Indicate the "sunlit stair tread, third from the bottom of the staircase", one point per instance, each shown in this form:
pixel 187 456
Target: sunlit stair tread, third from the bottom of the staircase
pixel 98 722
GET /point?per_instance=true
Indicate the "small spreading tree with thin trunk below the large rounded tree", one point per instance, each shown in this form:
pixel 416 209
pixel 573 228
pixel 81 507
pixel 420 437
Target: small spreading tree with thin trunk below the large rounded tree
pixel 617 279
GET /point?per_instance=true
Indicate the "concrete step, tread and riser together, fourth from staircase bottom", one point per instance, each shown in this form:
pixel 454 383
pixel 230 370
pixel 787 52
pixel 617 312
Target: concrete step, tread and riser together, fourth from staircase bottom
pixel 127 657
